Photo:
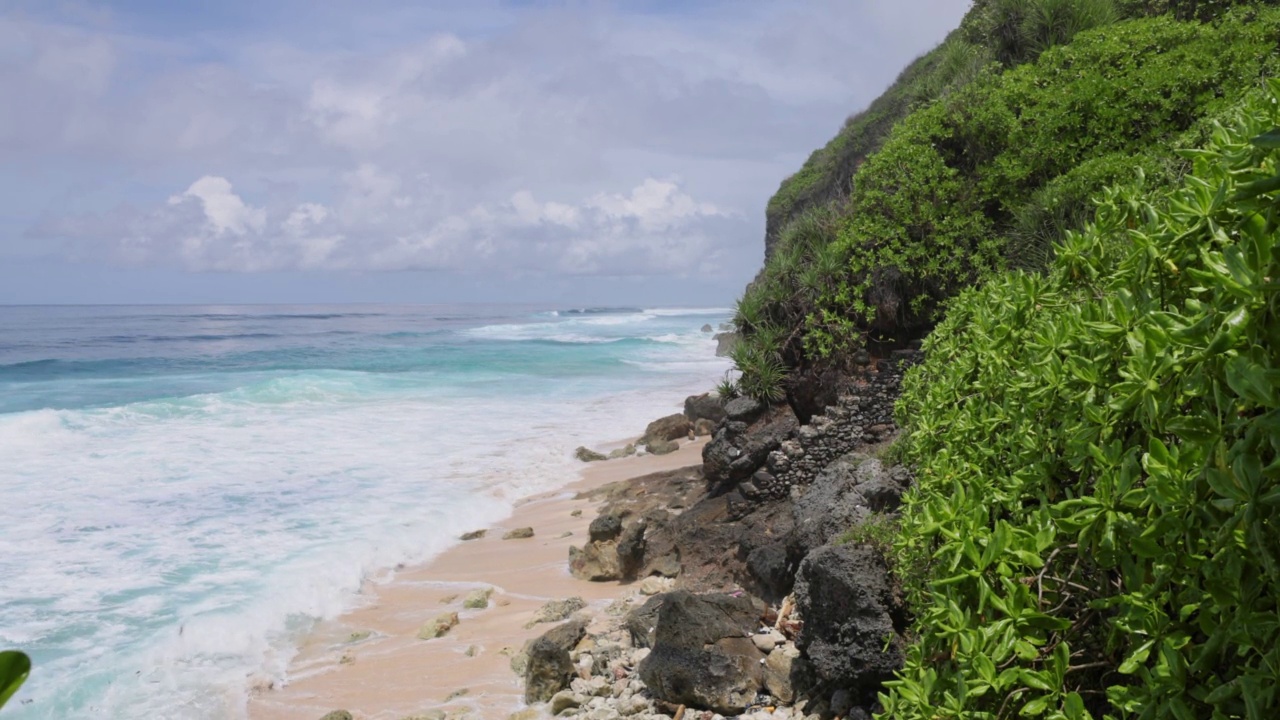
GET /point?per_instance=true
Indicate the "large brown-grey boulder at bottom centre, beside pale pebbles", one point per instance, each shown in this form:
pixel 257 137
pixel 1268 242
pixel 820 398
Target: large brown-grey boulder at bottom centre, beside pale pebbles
pixel 703 655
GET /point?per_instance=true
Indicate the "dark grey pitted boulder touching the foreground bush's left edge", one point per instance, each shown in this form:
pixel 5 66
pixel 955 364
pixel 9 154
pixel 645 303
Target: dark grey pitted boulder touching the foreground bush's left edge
pixel 852 619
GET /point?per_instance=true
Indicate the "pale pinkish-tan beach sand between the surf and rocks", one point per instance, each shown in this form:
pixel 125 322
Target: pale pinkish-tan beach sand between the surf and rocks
pixel 392 675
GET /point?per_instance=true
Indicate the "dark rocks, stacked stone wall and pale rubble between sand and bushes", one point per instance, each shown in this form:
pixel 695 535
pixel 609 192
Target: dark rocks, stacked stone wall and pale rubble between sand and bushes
pixel 779 607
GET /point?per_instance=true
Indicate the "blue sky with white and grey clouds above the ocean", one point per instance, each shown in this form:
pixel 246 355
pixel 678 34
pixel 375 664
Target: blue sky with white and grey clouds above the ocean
pixel 419 152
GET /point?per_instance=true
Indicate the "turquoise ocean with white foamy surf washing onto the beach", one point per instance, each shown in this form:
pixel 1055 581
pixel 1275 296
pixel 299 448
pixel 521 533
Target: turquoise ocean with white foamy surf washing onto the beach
pixel 186 491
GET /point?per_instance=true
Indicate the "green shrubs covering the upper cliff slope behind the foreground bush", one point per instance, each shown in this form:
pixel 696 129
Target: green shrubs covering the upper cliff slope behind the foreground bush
pixel 994 171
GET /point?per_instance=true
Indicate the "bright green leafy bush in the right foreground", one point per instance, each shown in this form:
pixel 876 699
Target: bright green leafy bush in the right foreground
pixel 1096 526
